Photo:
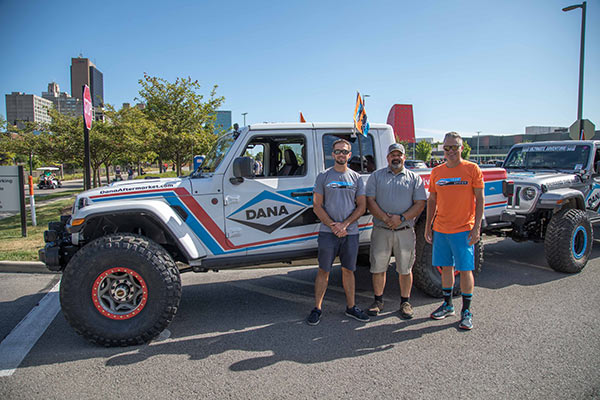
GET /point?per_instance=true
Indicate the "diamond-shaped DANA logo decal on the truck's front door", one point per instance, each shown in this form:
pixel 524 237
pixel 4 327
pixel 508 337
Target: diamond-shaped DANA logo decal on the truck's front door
pixel 267 211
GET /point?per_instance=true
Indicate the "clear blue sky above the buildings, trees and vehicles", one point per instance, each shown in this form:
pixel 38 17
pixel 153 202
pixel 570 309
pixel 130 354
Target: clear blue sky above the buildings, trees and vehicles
pixel 465 65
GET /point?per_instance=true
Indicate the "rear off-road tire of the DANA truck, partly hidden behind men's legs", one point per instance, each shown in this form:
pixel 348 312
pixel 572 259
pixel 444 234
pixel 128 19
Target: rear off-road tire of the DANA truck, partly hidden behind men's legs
pixel 428 278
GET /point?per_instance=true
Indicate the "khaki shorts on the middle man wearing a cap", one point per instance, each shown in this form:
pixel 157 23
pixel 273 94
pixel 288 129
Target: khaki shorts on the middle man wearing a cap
pixel 401 243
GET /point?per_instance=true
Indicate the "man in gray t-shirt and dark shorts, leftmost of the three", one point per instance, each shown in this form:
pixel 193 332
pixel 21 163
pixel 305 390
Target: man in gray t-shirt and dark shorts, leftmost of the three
pixel 338 201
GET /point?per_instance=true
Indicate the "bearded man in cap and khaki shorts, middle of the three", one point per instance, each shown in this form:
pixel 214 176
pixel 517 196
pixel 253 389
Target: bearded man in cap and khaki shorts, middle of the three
pixel 395 197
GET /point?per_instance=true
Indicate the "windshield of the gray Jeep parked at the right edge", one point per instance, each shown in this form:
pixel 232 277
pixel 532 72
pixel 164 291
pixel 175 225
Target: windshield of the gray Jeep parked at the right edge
pixel 564 156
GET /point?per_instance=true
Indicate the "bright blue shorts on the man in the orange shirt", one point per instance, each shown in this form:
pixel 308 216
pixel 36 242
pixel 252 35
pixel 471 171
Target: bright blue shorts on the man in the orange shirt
pixel 453 250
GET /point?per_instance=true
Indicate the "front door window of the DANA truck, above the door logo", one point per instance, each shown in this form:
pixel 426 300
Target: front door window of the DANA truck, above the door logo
pixel 277 155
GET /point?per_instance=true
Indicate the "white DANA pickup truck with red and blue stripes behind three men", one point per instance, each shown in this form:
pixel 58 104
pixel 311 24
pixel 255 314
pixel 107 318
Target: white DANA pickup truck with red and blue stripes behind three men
pixel 249 203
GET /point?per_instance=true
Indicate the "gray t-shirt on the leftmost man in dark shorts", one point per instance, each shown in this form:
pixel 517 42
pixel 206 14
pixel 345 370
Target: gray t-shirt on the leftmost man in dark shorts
pixel 339 191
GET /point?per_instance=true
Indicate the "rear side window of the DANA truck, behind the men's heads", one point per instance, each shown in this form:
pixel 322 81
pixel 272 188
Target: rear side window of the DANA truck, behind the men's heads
pixel 363 155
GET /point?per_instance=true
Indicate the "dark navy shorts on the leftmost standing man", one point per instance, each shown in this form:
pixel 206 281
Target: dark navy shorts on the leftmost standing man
pixel 331 246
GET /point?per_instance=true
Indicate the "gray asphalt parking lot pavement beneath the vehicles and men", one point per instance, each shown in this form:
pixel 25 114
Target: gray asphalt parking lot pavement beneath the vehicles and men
pixel 241 334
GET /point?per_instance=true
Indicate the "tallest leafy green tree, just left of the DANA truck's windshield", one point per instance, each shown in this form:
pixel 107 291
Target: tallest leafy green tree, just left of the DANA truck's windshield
pixel 183 120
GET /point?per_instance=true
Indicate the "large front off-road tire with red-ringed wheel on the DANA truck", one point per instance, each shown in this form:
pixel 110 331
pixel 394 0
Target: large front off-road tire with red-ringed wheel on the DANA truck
pixel 135 261
